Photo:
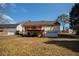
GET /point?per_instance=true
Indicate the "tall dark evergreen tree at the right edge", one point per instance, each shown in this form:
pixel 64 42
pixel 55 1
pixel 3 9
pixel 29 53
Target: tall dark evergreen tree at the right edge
pixel 74 18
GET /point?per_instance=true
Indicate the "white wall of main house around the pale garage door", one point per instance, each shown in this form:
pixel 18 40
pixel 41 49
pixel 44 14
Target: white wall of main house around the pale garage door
pixel 51 31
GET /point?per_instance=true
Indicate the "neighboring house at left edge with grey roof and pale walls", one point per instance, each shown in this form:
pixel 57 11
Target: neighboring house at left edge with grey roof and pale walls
pixel 8 29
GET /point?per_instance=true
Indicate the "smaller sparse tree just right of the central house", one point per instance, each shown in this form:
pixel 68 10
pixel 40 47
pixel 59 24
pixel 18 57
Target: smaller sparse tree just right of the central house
pixel 63 19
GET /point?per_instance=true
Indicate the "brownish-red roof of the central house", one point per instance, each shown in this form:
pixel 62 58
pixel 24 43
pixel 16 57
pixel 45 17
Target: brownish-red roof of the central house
pixel 41 23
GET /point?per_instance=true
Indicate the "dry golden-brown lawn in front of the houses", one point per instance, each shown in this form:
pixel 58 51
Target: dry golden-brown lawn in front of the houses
pixel 33 46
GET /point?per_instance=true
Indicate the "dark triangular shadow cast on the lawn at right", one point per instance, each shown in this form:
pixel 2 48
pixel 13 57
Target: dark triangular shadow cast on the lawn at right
pixel 72 45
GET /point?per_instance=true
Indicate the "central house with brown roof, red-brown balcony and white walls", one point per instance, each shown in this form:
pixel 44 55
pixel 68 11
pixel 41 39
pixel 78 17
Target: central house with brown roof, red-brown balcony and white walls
pixel 39 28
